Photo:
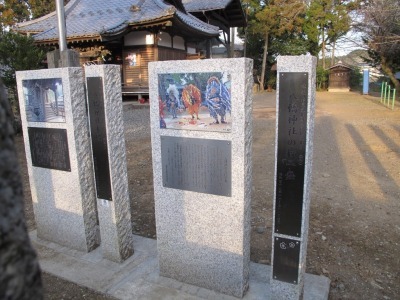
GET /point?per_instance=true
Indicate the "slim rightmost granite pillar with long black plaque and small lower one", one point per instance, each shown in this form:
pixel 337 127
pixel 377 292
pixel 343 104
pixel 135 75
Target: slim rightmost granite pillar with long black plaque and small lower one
pixel 293 169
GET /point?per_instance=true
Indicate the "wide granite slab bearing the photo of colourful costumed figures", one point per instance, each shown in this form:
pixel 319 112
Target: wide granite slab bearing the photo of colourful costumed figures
pixel 201 133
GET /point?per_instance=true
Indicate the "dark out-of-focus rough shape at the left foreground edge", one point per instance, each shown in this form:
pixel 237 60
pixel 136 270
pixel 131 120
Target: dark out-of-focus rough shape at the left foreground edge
pixel 20 276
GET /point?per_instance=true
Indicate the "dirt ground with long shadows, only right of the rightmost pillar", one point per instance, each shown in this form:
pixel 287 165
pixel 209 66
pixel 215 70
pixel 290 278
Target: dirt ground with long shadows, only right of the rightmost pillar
pixel 355 214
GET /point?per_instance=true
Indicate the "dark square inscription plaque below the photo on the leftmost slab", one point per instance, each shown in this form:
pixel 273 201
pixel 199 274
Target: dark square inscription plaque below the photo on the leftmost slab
pixel 49 148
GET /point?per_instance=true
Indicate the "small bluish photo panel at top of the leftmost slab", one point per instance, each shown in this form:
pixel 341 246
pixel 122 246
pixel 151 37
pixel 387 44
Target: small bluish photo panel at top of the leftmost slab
pixel 44 100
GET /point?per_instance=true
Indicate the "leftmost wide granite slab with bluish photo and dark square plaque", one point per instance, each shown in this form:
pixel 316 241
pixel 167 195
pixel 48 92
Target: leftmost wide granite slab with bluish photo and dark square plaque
pixel 57 145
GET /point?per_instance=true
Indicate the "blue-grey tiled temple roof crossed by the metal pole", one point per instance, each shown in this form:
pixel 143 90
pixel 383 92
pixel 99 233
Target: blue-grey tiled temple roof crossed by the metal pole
pixel 93 18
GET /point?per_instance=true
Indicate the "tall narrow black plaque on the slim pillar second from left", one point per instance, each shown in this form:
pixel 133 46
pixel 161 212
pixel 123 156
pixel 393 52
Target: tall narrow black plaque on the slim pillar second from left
pixel 99 137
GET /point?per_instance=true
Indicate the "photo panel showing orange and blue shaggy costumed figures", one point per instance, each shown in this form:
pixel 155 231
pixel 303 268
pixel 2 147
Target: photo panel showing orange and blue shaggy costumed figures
pixel 195 101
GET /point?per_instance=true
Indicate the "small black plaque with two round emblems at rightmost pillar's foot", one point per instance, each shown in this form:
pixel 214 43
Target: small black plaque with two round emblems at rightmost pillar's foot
pixel 286 260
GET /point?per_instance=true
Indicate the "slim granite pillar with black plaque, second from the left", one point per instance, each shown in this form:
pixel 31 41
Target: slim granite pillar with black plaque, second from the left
pixel 103 85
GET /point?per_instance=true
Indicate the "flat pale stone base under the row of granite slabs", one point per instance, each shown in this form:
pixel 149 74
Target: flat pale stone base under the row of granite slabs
pixel 138 277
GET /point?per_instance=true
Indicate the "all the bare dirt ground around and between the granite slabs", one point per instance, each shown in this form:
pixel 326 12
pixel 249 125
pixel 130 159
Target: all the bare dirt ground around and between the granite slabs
pixel 354 236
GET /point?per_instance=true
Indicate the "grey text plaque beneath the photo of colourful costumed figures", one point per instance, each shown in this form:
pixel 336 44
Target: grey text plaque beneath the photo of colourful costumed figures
pixel 198 165
